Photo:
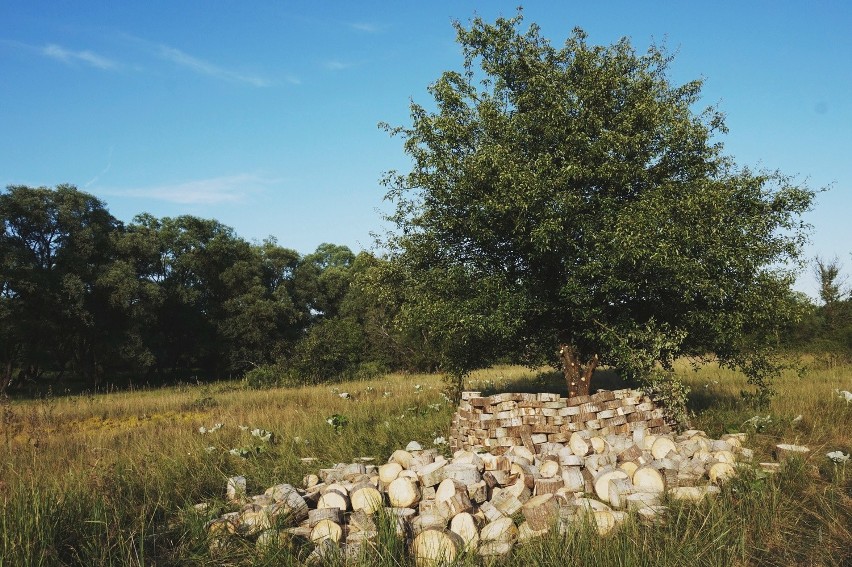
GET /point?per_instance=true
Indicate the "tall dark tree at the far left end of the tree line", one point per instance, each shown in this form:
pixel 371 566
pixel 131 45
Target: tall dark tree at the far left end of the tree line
pixel 54 314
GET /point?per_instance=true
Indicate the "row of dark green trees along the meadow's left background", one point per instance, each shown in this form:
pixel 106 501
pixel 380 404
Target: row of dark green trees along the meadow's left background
pixel 90 299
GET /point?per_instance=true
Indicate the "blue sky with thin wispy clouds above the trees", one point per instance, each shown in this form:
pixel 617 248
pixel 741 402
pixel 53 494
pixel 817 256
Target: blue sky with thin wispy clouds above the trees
pixel 263 115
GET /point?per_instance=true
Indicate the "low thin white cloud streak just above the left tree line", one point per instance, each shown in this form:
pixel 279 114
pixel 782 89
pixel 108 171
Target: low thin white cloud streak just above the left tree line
pixel 213 191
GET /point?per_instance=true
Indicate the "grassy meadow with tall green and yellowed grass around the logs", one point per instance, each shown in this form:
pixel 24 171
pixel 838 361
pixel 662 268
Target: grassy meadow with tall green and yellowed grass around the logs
pixel 111 479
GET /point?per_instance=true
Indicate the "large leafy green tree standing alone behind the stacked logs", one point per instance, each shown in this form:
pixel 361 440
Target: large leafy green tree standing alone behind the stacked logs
pixel 570 205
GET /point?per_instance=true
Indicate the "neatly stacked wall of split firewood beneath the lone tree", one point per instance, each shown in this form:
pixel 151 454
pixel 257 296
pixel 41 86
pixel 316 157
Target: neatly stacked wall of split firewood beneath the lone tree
pixel 497 422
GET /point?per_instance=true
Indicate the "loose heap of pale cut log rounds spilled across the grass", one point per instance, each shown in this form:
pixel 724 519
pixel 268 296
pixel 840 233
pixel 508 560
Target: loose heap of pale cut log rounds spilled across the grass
pixel 482 503
